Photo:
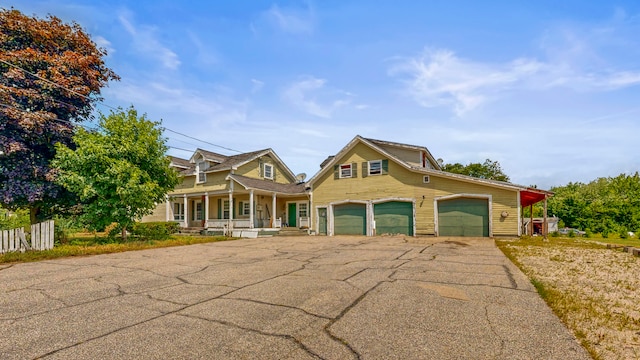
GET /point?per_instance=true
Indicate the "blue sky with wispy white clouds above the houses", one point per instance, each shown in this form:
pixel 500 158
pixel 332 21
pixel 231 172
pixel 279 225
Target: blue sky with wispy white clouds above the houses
pixel 551 90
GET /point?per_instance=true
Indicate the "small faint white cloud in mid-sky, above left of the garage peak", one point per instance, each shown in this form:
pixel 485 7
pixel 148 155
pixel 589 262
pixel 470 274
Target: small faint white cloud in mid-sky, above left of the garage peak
pixel 304 95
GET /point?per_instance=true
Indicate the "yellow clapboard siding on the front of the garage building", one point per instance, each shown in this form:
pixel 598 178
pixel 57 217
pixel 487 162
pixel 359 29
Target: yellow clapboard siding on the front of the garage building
pixel 406 184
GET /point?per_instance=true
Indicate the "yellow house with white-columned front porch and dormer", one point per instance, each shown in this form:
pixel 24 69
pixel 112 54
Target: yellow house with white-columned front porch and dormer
pixel 254 190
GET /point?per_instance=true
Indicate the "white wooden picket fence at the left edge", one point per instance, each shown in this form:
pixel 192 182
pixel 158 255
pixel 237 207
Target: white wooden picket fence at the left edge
pixel 16 240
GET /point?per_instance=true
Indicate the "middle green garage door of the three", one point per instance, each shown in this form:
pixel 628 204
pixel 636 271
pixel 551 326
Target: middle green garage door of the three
pixel 394 217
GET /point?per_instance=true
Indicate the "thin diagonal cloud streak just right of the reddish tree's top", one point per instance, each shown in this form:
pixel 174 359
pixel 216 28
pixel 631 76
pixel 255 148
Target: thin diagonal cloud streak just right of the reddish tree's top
pixel 146 43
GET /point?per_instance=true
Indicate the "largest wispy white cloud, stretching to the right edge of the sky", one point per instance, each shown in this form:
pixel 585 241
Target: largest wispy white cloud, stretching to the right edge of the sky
pixel 583 58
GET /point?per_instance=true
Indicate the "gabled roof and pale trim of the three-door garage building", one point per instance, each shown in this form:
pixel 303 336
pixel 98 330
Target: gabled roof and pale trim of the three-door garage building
pixel 533 195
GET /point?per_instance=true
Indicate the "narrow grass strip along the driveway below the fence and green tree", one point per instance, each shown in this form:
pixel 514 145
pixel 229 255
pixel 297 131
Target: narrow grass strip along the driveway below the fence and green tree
pixel 83 244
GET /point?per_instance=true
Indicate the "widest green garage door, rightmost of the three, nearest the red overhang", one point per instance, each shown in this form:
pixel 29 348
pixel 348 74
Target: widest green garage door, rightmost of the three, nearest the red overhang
pixel 463 217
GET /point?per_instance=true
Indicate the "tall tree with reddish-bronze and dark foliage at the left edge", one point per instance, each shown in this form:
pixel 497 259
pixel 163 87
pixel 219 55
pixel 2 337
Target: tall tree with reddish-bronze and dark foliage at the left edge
pixel 51 74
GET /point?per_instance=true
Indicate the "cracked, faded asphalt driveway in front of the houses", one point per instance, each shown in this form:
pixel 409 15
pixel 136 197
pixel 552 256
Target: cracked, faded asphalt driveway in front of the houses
pixel 282 298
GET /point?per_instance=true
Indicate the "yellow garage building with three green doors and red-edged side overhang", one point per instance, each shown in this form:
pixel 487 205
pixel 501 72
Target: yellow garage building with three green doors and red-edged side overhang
pixel 377 187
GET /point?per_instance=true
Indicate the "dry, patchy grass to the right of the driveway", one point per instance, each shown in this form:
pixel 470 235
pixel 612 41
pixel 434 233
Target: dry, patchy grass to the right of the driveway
pixel 594 290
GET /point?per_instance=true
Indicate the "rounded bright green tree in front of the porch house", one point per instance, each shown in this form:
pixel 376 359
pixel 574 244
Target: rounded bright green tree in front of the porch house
pixel 119 172
